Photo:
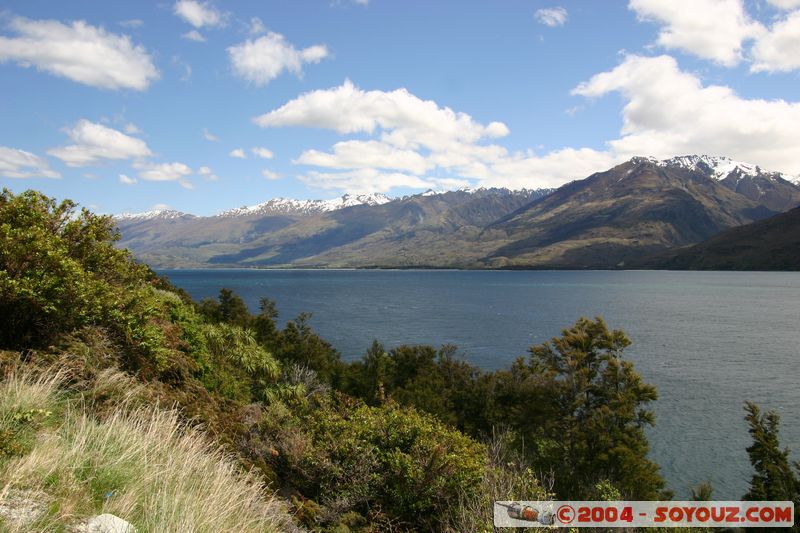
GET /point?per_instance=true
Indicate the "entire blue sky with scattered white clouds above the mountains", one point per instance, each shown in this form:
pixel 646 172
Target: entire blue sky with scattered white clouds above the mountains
pixel 205 106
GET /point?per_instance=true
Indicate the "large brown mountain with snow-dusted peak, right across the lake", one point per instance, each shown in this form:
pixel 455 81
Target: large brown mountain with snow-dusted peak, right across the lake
pixel 611 217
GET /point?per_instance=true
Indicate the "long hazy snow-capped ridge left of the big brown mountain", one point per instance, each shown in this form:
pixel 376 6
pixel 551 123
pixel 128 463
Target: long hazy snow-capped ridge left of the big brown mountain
pixel 365 230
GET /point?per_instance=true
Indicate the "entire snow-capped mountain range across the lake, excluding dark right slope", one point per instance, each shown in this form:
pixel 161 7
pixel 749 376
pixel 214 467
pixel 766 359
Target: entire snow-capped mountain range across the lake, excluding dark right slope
pixel 610 219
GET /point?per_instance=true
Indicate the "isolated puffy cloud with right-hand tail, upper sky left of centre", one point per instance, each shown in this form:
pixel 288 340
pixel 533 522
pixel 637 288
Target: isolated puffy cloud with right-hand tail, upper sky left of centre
pixel 261 60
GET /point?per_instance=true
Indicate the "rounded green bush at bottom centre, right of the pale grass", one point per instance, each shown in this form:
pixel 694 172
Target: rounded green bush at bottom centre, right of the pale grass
pixel 352 456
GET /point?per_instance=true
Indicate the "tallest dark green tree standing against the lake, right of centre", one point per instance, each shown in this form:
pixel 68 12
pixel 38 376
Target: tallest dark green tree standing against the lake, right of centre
pixel 581 408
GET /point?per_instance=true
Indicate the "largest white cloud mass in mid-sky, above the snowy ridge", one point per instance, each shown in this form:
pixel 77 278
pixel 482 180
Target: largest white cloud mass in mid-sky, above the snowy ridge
pixel 418 144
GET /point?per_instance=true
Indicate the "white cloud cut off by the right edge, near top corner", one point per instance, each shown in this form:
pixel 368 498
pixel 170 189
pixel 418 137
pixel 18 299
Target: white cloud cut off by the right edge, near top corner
pixel 779 49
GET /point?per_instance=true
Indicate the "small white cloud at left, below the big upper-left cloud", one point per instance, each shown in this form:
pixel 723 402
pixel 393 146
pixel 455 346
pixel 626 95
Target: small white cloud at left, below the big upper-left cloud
pixel 94 143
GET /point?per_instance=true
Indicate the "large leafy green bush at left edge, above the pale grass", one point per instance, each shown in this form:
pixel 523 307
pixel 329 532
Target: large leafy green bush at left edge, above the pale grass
pixel 58 270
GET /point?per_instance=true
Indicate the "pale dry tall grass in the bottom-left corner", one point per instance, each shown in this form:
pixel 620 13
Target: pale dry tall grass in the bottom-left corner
pixel 140 464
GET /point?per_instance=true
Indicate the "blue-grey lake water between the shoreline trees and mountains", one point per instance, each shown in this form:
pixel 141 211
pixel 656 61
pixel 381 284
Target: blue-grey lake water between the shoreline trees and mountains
pixel 707 340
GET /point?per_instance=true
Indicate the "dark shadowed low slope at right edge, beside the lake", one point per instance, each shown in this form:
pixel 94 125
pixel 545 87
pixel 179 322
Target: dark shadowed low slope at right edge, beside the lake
pixel 770 244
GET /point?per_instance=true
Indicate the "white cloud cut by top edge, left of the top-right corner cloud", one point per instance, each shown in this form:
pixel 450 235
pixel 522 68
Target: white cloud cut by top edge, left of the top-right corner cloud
pixel 710 29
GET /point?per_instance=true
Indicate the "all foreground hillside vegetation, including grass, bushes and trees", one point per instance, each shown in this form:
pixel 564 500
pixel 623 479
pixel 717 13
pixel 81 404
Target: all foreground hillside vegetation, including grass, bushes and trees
pixel 120 394
